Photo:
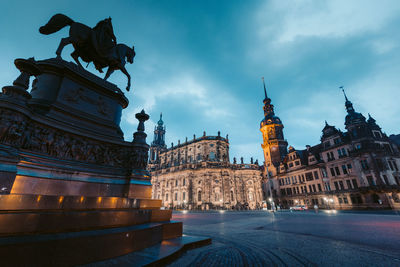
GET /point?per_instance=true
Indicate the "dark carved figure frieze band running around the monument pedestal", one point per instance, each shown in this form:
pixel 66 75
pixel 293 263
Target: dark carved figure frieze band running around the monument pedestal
pixel 18 131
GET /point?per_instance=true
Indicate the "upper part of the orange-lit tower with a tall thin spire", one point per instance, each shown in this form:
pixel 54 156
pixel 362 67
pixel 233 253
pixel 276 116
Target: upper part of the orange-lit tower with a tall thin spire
pixel 274 144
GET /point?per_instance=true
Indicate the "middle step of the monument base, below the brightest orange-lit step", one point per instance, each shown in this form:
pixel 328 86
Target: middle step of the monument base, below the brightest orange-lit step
pixel 36 221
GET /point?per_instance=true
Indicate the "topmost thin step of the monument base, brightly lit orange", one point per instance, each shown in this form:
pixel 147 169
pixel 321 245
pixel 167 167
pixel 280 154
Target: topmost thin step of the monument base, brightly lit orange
pixel 45 202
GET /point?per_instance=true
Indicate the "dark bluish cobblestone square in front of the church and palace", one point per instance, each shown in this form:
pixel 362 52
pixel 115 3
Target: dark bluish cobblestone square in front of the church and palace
pixel 292 239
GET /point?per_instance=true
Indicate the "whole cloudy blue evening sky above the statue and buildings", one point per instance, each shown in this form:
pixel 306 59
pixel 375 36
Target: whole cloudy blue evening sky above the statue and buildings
pixel 200 63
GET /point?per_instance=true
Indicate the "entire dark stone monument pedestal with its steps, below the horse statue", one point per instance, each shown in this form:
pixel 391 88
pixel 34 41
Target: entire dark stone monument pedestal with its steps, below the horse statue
pixel 72 191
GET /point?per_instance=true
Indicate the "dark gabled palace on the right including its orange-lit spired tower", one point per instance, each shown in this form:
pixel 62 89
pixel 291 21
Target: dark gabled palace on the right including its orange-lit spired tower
pixel 355 169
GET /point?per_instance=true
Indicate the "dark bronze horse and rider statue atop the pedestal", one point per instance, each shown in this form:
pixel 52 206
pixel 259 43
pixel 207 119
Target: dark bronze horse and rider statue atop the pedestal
pixel 97 45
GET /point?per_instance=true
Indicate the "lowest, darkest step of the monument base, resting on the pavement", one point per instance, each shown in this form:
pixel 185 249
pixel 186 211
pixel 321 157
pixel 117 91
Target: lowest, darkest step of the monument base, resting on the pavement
pixel 73 248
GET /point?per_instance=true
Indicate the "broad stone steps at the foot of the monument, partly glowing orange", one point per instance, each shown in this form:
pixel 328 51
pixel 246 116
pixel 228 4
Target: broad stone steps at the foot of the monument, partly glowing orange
pixel 42 230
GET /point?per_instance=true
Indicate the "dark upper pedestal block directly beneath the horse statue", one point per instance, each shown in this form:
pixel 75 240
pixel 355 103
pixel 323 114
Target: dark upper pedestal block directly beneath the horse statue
pixel 76 99
